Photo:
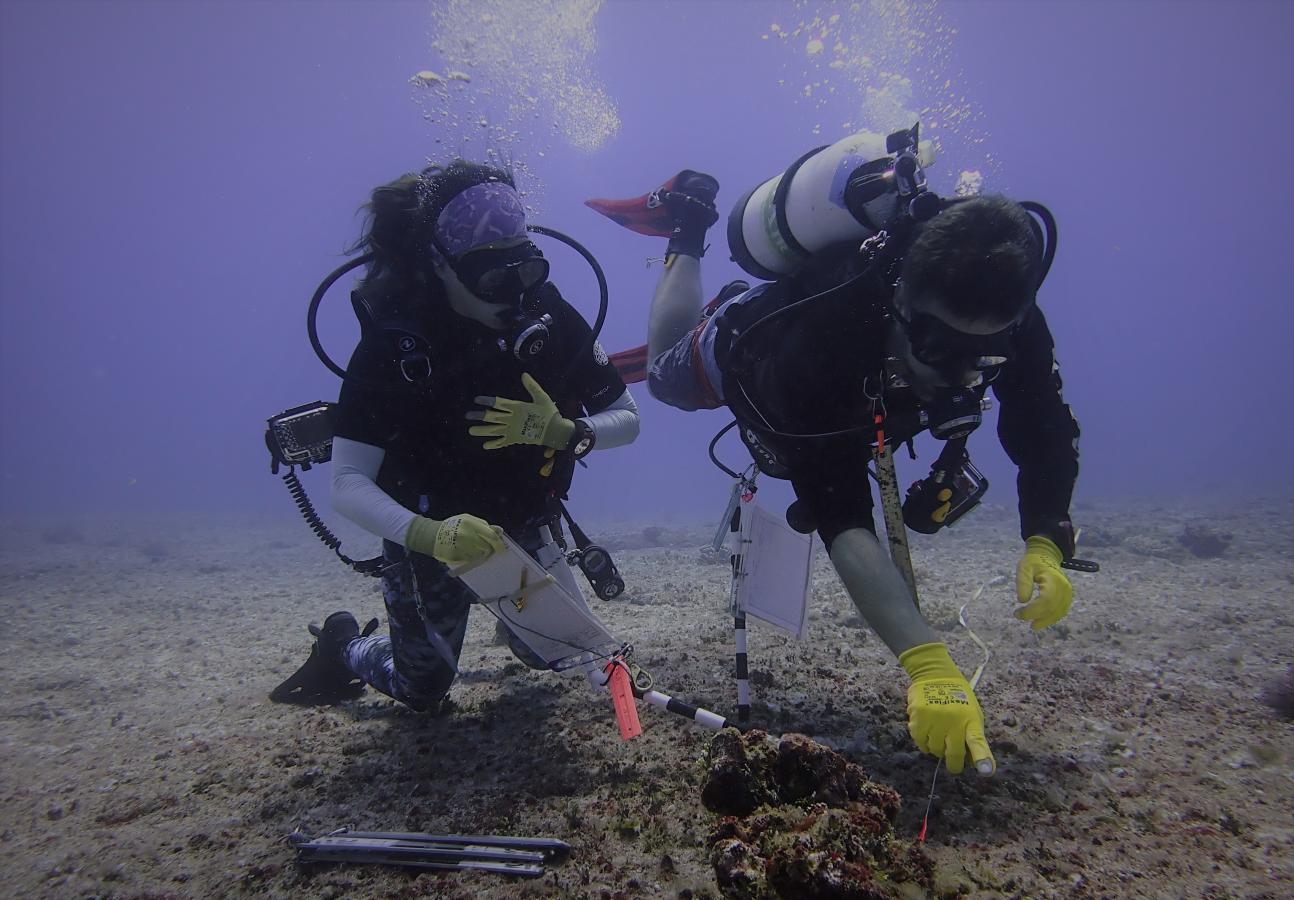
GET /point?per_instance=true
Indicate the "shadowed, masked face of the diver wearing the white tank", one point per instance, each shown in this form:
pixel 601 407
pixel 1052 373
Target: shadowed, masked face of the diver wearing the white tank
pixel 934 348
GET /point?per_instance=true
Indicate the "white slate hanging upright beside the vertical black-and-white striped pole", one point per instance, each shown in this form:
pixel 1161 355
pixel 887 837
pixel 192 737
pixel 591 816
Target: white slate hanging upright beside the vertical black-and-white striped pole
pixel 776 566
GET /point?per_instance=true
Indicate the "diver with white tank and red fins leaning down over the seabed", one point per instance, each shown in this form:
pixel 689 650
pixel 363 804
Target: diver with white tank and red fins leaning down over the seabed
pixel 887 312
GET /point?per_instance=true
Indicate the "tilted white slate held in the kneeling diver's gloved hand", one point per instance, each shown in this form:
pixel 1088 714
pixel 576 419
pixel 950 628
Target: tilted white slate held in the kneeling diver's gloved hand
pixel 548 619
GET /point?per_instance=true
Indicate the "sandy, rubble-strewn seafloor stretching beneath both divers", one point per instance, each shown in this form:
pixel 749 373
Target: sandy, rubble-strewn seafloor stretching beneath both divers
pixel 142 758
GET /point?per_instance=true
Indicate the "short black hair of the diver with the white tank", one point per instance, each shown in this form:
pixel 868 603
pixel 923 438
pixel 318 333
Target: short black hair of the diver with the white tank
pixel 980 257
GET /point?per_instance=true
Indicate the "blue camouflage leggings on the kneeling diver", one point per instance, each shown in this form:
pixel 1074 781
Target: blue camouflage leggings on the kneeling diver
pixel 419 663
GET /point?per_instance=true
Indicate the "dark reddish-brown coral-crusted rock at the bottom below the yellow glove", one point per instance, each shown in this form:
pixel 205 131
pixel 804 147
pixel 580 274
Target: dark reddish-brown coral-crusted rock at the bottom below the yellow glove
pixel 803 822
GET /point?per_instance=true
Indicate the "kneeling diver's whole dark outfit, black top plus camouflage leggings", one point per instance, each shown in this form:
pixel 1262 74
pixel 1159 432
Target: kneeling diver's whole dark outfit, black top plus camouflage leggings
pixel 433 465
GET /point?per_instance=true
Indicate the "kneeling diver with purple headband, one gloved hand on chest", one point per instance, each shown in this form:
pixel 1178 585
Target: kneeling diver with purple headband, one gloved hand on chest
pixel 473 392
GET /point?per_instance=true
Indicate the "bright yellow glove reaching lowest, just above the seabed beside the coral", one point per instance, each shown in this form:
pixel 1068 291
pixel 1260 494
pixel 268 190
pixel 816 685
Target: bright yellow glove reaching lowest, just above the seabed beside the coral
pixel 944 716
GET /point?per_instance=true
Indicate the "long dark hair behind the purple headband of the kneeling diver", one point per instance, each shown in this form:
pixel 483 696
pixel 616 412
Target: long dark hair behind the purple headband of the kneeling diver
pixel 400 218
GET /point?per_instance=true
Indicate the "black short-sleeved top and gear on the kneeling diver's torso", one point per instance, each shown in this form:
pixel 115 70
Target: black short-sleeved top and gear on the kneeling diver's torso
pixel 433 465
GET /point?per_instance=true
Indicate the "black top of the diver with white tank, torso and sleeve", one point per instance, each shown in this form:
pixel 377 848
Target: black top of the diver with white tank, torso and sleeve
pixel 818 369
